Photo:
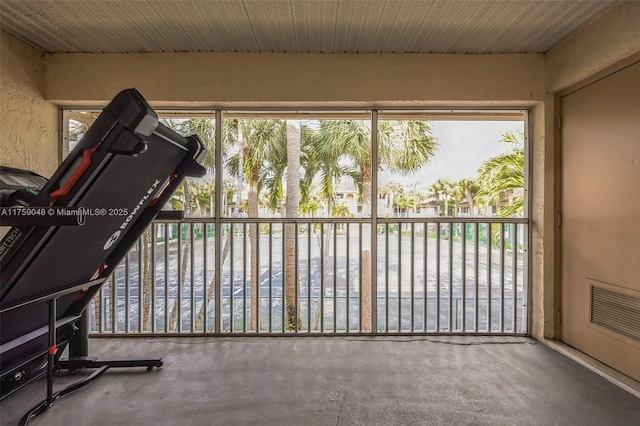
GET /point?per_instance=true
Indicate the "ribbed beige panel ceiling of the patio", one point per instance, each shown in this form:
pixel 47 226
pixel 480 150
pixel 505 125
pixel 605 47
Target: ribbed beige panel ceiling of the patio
pixel 315 26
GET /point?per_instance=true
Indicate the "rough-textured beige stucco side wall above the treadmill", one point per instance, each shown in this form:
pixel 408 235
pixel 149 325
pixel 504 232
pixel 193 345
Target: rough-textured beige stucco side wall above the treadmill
pixel 28 122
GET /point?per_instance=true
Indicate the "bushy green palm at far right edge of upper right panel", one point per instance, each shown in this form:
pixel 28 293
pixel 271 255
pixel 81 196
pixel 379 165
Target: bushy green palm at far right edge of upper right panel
pixel 500 176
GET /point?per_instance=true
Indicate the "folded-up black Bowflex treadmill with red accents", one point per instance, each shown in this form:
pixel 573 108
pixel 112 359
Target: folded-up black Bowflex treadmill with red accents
pixel 69 233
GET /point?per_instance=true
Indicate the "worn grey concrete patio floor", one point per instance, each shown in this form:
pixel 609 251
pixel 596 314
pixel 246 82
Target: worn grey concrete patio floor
pixel 336 381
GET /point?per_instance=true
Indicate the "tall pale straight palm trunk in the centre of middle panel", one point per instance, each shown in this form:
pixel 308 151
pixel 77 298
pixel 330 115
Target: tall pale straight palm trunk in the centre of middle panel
pixel 292 210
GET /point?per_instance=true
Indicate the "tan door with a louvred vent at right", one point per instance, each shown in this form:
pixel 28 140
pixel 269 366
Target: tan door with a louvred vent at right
pixel 600 231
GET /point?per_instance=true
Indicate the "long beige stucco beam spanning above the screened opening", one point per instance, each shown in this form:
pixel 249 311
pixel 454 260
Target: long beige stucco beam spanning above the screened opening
pixel 252 79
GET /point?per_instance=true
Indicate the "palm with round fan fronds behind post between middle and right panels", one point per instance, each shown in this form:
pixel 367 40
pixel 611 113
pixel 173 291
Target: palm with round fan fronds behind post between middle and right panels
pixel 404 147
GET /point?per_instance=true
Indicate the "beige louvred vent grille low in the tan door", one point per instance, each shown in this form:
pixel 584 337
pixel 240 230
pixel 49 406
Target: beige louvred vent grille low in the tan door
pixel 615 311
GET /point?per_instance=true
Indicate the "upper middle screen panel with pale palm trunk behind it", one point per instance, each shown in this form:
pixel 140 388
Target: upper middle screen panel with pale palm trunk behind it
pixel 332 172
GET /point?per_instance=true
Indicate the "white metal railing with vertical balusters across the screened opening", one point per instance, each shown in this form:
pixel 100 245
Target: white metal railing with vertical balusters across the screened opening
pixel 416 275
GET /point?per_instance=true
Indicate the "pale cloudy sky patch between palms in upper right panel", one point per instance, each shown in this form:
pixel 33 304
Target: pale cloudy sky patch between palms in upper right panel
pixel 462 147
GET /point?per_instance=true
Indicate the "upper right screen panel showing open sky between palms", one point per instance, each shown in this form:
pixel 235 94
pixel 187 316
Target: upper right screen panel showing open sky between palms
pixel 451 168
